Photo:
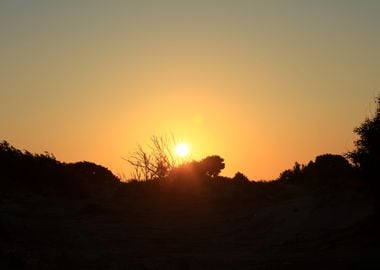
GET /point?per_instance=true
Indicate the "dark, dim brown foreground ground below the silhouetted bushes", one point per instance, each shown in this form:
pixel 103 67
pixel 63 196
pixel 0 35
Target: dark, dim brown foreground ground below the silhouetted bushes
pixel 201 225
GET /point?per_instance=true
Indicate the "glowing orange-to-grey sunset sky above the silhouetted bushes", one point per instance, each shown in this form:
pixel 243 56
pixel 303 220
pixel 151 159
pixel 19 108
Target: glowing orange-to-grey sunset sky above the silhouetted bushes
pixel 261 83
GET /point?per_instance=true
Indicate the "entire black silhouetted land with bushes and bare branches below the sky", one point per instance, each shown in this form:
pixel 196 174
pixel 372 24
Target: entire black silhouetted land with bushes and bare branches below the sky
pixel 185 215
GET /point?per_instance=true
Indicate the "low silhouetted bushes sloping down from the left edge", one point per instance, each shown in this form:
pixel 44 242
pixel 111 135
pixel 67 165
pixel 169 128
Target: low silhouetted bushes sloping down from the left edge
pixel 22 171
